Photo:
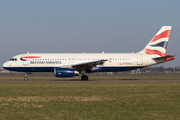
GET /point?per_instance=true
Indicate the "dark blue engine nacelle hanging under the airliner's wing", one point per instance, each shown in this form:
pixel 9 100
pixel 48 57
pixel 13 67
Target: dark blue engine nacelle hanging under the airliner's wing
pixel 65 72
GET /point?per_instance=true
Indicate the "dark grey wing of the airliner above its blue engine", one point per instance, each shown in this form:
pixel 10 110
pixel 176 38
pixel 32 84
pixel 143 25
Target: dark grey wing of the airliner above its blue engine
pixel 88 65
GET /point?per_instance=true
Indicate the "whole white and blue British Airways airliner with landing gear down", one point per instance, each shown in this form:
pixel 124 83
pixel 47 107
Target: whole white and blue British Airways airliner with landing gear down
pixel 72 64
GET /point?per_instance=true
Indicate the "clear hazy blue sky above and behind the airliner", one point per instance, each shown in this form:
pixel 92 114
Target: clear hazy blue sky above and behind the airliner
pixel 68 26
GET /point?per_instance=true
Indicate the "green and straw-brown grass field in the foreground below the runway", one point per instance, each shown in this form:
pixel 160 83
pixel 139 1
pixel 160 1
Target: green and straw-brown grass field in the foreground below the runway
pixel 83 100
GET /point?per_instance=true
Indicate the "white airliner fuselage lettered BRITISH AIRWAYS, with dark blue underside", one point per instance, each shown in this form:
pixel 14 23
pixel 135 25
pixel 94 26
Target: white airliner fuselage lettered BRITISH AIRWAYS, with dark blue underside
pixel 46 62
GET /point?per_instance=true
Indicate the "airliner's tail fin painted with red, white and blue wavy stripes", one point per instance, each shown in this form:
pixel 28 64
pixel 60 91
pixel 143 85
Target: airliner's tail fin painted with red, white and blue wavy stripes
pixel 158 44
